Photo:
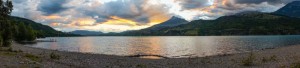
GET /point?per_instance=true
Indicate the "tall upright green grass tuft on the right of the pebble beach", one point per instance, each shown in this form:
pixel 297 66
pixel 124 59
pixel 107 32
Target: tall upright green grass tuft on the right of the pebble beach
pixel 249 60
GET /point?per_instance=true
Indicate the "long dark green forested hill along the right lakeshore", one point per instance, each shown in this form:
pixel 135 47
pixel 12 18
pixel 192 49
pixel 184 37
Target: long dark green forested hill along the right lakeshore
pixel 253 23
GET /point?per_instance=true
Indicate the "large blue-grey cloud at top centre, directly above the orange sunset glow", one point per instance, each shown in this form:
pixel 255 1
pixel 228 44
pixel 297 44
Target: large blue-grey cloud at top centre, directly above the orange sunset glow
pixel 125 9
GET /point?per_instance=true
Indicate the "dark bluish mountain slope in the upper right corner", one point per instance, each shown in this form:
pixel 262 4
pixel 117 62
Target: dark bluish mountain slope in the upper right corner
pixel 292 9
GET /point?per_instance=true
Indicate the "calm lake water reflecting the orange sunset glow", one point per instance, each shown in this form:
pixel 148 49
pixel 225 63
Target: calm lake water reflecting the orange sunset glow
pixel 168 46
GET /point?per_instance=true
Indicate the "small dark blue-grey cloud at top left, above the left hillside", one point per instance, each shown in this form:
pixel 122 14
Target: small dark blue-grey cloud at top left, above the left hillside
pixel 49 7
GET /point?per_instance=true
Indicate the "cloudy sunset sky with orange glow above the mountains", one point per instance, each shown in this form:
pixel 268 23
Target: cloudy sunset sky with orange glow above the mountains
pixel 122 15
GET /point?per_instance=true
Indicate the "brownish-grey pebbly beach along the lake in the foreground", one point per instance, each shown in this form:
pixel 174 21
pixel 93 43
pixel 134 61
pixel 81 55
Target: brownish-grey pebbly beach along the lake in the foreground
pixel 28 57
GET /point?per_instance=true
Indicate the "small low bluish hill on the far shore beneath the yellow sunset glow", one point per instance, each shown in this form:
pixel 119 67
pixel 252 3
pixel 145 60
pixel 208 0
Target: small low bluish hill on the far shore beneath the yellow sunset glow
pixel 87 33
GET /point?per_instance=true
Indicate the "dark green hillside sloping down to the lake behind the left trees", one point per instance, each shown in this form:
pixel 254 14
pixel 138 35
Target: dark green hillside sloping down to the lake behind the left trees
pixel 40 29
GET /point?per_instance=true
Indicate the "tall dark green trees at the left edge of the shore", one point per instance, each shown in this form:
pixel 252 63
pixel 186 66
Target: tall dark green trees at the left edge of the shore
pixel 11 30
